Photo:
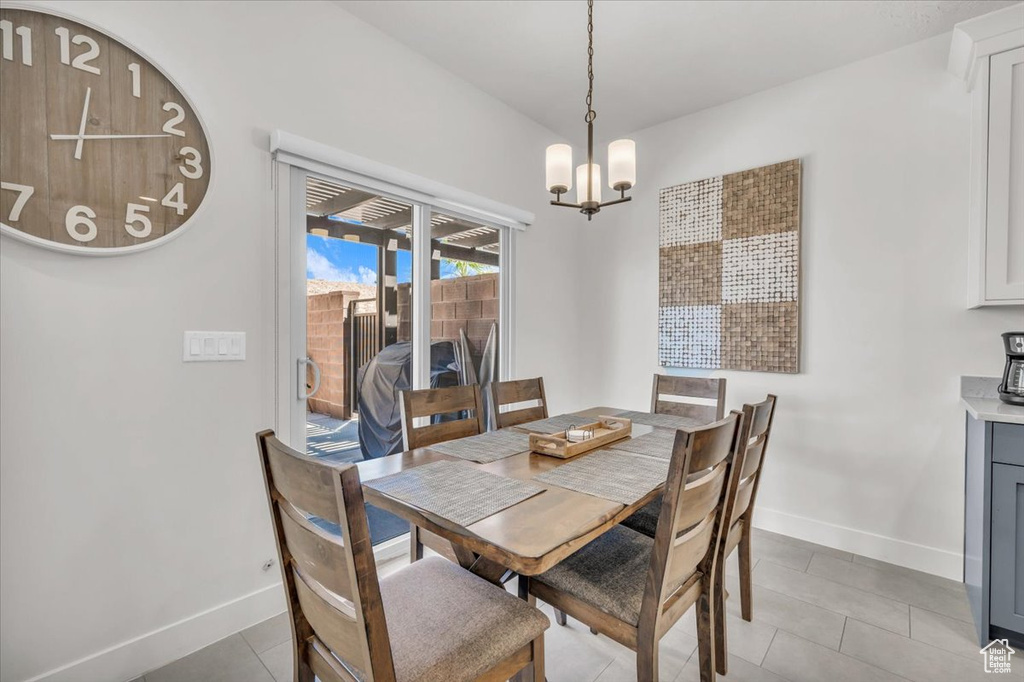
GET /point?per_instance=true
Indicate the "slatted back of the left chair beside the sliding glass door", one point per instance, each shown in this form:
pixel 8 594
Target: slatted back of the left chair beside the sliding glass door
pixel 433 402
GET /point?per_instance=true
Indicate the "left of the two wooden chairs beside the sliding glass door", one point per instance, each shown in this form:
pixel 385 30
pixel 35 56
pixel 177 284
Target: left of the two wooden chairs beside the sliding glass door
pixel 466 405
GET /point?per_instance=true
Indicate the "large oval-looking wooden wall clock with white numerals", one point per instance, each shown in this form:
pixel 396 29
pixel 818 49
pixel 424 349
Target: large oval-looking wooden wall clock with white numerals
pixel 101 153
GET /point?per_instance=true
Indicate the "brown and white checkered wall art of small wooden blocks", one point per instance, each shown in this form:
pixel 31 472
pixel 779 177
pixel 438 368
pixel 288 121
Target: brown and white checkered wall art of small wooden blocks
pixel 730 272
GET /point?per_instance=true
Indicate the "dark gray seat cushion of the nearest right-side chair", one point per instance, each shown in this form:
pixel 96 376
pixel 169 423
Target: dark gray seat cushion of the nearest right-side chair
pixel 609 574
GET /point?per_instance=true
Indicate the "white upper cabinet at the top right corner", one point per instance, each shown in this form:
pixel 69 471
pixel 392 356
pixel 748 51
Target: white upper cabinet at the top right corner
pixel 988 54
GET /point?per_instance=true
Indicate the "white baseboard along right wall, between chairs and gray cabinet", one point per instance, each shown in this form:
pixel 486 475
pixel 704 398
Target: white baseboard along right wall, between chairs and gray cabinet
pixel 904 553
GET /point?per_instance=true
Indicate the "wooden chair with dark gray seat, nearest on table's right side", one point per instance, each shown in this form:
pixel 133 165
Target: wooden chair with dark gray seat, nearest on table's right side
pixel 633 588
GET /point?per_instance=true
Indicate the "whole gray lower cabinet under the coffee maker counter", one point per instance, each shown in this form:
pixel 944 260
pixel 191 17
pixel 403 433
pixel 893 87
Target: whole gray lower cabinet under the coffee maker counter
pixel 994 529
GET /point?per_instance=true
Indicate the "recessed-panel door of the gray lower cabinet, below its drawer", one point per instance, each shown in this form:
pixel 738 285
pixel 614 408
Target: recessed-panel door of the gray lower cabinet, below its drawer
pixel 1007 596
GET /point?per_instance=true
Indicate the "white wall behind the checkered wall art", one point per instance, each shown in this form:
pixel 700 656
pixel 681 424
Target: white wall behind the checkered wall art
pixel 869 445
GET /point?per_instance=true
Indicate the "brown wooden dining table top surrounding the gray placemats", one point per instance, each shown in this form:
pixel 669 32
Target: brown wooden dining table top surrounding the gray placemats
pixel 528 538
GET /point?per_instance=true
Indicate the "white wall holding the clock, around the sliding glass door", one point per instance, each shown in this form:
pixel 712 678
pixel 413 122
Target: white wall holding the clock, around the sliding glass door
pixel 133 510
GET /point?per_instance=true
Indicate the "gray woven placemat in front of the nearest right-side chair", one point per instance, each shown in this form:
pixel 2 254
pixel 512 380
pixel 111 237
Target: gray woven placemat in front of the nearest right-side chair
pixel 611 475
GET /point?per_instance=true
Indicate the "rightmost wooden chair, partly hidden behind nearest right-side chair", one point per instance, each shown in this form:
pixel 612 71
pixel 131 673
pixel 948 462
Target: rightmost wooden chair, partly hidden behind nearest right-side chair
pixel 754 439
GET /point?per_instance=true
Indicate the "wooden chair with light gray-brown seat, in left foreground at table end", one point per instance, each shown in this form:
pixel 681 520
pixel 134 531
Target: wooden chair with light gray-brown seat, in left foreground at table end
pixel 431 622
